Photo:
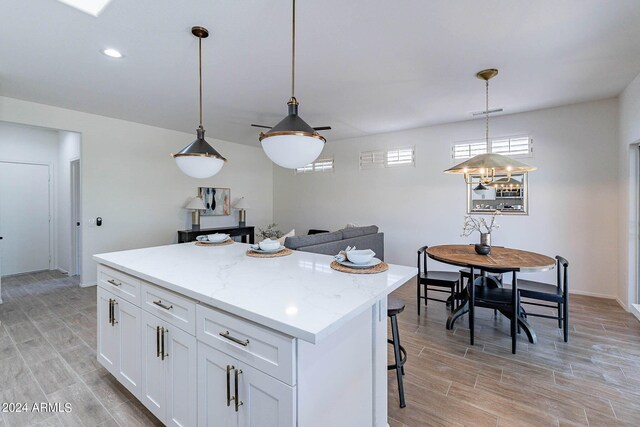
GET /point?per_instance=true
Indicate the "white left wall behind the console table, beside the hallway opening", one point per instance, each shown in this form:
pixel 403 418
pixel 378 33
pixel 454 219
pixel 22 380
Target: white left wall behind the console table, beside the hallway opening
pixel 129 179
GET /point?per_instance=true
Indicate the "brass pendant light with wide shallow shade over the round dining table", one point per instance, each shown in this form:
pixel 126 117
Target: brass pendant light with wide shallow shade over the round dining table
pixel 485 166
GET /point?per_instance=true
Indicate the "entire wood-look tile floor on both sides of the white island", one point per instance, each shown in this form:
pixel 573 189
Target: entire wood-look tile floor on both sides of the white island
pixel 48 340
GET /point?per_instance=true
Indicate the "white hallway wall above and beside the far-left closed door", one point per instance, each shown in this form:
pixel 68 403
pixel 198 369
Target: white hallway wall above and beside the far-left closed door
pixel 34 145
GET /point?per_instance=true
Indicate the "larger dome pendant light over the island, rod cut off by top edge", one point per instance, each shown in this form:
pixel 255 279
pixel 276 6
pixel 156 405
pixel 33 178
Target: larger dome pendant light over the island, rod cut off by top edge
pixel 292 143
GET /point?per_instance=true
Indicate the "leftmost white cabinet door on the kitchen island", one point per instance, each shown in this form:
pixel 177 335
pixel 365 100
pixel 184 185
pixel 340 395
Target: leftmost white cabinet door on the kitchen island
pixel 108 351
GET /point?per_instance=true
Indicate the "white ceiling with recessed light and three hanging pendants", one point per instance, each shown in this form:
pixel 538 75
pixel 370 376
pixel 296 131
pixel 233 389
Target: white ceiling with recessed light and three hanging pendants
pixel 363 67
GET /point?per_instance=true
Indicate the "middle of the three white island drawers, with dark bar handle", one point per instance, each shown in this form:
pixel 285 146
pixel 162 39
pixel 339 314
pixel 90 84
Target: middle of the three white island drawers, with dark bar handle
pixel 171 307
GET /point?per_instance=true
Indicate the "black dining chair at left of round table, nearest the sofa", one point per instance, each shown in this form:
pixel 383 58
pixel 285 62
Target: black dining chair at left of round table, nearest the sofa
pixel 436 281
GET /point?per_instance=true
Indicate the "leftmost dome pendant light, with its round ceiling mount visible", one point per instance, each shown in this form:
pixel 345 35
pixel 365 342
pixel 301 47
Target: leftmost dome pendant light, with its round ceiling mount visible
pixel 199 159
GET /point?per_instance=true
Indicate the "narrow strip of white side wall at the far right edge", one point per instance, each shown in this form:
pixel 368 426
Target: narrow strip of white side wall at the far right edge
pixel 629 138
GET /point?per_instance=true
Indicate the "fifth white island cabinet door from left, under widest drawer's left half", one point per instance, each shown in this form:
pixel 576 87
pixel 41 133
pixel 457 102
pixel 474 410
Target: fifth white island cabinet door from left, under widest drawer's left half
pixel 215 388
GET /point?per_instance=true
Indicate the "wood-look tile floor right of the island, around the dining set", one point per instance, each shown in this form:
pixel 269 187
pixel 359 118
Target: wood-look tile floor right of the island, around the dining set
pixel 593 380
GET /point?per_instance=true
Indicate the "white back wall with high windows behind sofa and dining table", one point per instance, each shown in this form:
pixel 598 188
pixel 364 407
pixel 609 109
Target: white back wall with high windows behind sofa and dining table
pixel 573 198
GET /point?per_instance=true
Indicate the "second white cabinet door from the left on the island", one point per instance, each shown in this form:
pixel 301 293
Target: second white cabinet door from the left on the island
pixel 128 321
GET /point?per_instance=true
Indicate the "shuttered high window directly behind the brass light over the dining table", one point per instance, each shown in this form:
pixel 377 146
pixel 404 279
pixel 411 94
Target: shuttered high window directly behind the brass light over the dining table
pixel 521 146
